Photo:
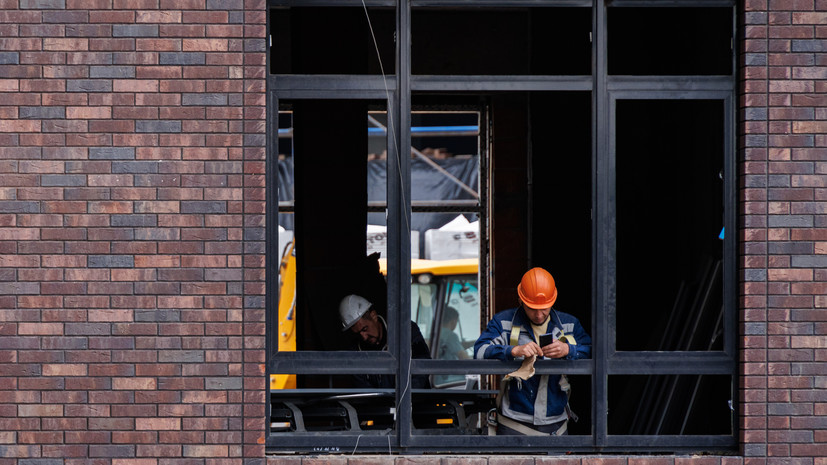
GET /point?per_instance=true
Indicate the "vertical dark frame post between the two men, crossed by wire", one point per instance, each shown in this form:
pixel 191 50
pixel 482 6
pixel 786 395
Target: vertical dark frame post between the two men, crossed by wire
pixel 399 220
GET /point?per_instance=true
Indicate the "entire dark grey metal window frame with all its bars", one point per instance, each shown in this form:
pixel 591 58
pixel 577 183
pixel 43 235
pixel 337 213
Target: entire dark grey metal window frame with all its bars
pixel 605 91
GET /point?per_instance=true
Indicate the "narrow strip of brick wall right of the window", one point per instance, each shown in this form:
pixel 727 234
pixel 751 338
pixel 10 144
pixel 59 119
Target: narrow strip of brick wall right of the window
pixel 784 250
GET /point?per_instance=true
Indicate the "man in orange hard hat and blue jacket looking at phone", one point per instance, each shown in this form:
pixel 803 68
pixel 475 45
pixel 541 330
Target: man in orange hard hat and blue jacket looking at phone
pixel 528 404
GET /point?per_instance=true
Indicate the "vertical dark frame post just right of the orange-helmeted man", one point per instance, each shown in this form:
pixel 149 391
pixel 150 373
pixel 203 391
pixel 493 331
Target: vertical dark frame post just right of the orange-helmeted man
pixel 603 235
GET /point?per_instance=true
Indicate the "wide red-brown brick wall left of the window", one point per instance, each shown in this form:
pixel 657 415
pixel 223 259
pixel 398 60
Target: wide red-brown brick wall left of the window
pixel 131 174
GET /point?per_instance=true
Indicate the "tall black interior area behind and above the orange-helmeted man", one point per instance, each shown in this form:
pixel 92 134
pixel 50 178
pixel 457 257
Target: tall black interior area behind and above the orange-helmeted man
pixel 561 196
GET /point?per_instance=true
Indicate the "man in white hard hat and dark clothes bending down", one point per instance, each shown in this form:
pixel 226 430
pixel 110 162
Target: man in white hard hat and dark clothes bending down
pixel 358 315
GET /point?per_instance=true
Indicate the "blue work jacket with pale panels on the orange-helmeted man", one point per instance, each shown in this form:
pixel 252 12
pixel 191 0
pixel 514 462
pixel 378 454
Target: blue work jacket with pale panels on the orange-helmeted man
pixel 539 400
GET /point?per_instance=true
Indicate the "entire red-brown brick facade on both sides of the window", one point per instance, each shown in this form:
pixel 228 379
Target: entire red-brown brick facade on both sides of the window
pixel 131 236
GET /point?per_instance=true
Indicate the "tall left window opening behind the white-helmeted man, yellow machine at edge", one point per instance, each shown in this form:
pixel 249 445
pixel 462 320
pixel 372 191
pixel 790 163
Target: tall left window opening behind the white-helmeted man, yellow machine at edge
pixel 310 167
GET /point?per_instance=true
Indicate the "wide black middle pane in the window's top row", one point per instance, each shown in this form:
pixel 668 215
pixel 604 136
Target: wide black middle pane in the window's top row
pixel 506 41
